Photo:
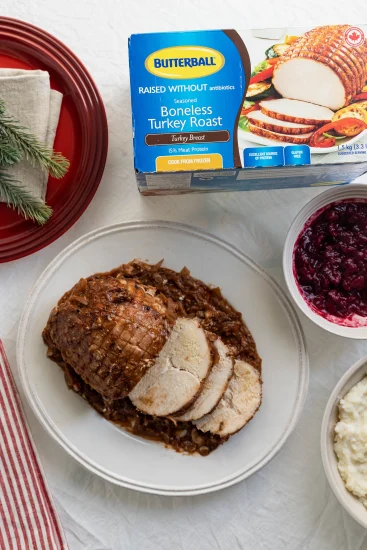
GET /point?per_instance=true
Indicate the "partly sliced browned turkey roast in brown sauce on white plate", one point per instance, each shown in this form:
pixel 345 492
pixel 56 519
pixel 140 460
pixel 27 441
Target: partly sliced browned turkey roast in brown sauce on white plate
pixel 155 351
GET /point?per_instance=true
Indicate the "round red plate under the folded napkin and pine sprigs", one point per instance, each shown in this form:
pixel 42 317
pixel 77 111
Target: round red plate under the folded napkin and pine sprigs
pixel 82 136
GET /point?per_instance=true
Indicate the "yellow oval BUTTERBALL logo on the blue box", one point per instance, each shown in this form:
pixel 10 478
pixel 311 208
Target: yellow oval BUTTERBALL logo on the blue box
pixel 180 62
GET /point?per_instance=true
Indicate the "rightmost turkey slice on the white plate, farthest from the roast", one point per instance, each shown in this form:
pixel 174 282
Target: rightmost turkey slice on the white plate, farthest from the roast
pixel 238 405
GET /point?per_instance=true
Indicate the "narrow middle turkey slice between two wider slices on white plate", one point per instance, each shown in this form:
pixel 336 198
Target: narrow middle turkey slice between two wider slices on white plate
pixel 214 386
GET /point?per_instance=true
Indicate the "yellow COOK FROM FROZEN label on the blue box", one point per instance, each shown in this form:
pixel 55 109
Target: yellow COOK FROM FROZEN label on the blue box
pixel 189 162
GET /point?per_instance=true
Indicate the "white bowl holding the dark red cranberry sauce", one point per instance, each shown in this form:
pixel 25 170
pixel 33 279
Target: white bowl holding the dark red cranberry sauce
pixel 351 191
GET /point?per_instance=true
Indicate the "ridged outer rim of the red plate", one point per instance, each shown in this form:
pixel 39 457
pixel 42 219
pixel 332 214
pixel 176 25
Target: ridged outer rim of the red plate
pixel 20 32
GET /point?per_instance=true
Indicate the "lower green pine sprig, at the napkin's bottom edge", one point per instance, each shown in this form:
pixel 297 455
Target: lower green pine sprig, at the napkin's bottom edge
pixel 18 198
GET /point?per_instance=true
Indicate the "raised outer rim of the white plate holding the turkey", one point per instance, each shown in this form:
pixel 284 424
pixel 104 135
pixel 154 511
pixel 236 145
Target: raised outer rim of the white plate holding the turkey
pixel 80 457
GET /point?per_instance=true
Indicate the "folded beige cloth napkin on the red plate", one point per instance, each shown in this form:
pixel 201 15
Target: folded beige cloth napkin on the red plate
pixel 28 98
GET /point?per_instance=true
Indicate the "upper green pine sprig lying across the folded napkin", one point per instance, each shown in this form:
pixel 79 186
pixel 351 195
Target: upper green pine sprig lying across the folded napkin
pixel 30 147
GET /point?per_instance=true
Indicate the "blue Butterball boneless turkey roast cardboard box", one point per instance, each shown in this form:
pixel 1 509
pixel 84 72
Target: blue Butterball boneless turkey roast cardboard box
pixel 224 110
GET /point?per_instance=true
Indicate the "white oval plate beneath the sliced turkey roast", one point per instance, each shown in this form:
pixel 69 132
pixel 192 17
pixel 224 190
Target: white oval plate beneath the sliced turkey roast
pixel 132 461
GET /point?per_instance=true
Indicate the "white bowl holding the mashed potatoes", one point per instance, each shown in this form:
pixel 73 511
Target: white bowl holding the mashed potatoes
pixel 349 502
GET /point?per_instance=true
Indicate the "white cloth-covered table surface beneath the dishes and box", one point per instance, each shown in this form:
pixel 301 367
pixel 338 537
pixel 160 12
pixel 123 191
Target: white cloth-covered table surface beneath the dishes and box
pixel 288 504
